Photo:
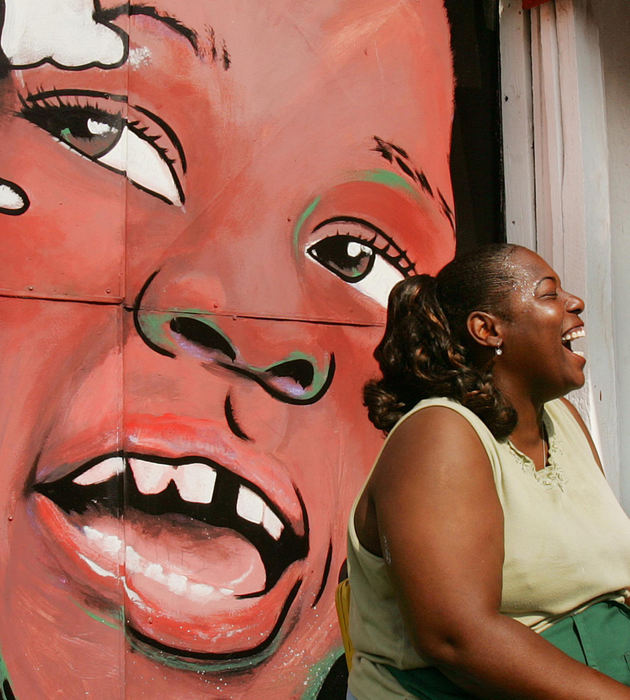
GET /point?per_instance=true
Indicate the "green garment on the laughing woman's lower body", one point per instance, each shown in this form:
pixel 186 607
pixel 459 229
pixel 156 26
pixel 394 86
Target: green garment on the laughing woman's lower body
pixel 598 637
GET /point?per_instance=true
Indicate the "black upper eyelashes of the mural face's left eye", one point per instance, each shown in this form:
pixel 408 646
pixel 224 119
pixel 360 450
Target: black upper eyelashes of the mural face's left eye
pixel 37 109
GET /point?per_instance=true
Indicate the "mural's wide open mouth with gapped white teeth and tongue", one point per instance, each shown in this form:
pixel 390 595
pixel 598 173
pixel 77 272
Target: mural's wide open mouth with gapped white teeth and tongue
pixel 208 564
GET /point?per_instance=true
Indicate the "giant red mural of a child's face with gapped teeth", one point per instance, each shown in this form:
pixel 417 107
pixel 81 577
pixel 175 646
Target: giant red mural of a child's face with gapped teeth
pixel 203 208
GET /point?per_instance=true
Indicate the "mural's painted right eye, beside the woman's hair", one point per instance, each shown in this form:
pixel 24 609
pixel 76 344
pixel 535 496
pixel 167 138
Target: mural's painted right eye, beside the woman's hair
pixel 362 255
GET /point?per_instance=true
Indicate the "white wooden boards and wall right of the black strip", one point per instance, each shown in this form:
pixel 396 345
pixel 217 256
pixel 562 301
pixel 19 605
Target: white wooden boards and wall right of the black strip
pixel 566 125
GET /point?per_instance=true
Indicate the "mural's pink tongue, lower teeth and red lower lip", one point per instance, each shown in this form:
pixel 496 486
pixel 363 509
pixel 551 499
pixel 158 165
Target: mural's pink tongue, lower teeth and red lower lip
pixel 188 587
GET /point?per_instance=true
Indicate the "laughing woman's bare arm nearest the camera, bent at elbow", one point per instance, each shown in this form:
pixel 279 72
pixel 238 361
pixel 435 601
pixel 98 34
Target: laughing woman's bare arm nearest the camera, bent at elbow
pixel 441 530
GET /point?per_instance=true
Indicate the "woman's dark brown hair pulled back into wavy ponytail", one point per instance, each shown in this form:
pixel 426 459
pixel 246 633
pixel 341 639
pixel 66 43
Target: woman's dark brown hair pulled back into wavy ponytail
pixel 426 348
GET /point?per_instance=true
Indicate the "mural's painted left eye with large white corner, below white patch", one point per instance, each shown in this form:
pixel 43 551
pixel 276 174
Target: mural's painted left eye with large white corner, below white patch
pixel 110 140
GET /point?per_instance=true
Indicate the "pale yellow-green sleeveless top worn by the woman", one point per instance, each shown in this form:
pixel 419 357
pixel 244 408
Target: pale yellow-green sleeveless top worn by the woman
pixel 566 539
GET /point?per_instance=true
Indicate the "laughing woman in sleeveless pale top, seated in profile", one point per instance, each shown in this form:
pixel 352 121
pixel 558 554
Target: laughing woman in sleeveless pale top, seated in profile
pixel 488 557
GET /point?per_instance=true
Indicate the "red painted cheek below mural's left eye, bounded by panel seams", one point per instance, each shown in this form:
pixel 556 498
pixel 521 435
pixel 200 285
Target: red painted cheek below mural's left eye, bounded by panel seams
pixel 70 241
